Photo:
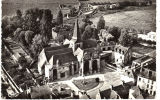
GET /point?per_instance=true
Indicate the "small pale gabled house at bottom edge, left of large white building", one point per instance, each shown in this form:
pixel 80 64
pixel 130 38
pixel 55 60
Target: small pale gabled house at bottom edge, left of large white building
pixel 135 93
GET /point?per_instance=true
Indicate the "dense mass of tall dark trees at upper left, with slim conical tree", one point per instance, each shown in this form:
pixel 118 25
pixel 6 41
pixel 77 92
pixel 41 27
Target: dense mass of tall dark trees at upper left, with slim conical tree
pixel 33 28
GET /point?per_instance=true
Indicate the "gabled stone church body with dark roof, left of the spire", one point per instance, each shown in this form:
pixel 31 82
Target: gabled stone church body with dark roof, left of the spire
pixel 57 62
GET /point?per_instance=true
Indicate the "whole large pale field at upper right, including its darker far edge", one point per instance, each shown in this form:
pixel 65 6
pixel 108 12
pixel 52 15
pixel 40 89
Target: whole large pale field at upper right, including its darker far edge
pixel 130 17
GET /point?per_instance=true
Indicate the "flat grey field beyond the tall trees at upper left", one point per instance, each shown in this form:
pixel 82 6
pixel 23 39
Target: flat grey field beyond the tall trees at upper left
pixel 9 7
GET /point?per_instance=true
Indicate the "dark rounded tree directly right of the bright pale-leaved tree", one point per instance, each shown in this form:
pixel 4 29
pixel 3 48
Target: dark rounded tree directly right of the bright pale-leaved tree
pixel 115 31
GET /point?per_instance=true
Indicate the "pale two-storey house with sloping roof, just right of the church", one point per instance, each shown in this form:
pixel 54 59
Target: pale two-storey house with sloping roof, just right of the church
pixel 122 55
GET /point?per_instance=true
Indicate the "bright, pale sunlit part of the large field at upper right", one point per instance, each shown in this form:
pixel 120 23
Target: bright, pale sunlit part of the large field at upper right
pixel 138 19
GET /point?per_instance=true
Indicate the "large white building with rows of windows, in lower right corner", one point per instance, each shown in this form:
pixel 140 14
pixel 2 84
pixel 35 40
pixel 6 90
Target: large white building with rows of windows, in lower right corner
pixel 146 79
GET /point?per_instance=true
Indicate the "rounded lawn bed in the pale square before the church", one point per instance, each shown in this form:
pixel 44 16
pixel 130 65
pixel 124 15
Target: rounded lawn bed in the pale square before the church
pixel 86 84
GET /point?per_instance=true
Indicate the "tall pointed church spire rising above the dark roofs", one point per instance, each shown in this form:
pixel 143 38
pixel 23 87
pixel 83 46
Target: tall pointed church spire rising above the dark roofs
pixel 76 33
